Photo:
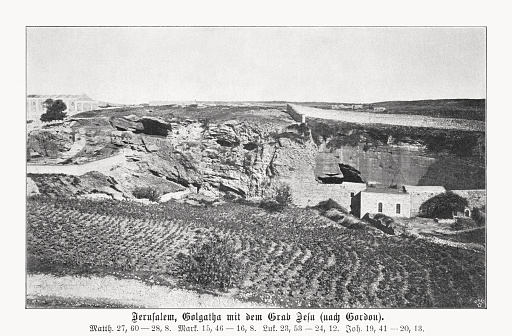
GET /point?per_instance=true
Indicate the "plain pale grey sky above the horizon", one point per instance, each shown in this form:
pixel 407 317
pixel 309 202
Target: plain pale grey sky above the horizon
pixel 333 64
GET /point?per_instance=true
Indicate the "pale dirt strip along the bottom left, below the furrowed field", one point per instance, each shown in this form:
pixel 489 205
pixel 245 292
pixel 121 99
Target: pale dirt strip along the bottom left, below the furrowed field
pixel 126 292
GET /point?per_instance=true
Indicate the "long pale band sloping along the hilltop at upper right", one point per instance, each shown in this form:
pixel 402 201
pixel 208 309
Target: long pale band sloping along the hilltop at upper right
pixel 390 119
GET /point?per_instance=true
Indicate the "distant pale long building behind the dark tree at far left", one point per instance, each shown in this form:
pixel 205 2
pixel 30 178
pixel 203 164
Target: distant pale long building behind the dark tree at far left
pixel 74 103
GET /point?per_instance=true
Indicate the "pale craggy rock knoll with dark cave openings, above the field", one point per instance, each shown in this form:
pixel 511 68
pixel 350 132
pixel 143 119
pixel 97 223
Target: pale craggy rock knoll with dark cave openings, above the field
pixel 243 159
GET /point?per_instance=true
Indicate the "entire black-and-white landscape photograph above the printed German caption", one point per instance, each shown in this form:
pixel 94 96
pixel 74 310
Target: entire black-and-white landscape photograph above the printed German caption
pixel 322 167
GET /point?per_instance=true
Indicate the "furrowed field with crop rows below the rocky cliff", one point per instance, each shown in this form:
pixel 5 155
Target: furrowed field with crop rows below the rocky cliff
pixel 293 259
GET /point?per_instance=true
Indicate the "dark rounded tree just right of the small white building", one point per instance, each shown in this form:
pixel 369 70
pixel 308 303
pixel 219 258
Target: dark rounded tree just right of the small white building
pixel 443 205
